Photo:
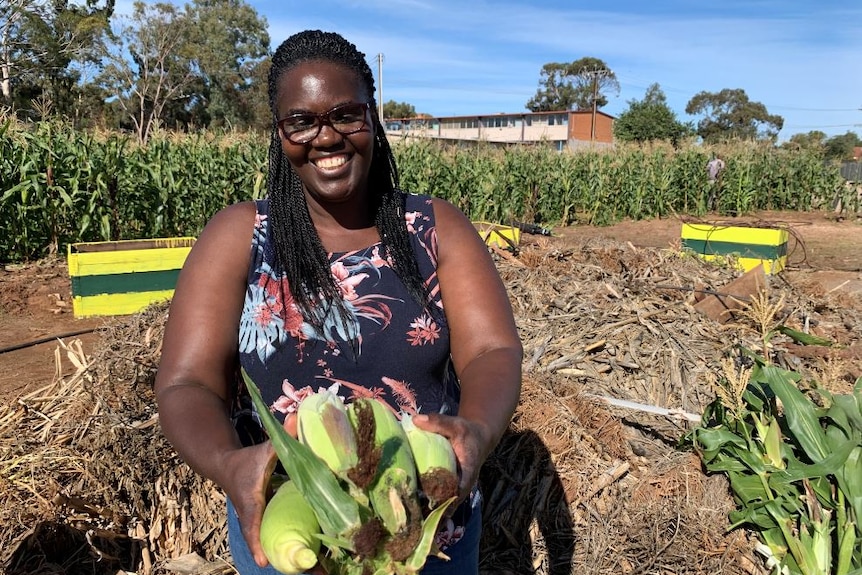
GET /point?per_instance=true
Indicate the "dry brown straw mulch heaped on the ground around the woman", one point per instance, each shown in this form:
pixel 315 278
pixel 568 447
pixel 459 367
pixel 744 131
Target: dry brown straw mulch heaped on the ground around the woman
pixel 579 484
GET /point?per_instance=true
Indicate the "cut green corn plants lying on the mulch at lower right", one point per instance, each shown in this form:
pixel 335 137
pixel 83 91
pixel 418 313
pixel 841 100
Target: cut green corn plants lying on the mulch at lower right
pixel 795 470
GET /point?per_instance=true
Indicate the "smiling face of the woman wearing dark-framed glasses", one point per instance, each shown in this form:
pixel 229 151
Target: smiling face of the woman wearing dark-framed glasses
pixel 333 167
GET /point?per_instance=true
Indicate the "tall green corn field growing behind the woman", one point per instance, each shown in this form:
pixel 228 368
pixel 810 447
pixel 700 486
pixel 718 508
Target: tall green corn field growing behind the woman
pixel 60 186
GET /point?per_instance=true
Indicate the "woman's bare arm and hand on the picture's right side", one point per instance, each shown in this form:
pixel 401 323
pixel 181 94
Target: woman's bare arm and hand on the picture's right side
pixel 486 348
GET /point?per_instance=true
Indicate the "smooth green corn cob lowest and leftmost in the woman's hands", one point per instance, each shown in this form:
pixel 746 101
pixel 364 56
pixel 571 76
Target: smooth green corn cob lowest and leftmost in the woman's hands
pixel 288 532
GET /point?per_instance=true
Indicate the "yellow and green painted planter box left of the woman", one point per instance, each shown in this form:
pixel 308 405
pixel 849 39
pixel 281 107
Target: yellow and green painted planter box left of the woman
pixel 124 277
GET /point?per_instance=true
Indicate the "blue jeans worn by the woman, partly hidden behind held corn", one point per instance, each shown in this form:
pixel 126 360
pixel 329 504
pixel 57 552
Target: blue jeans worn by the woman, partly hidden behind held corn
pixel 464 555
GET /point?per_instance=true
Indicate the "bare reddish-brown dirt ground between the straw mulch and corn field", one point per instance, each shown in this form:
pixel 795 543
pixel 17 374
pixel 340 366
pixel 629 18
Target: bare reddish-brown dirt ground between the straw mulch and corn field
pixel 36 307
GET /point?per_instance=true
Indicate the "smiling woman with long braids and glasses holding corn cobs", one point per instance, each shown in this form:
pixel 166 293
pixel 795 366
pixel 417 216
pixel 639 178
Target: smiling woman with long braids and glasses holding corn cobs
pixel 336 280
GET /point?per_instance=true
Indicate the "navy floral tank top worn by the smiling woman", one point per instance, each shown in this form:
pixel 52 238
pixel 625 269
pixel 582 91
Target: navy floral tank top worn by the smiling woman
pixel 399 352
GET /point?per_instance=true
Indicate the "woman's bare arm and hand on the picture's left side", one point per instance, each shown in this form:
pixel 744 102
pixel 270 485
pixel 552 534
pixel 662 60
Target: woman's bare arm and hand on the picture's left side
pixel 198 364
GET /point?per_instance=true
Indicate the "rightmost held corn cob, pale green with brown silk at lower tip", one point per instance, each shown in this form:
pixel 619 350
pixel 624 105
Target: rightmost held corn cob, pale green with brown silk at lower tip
pixel 435 462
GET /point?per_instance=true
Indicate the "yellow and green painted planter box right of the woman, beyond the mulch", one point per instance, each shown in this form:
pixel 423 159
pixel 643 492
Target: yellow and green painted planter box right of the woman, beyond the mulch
pixel 749 246
